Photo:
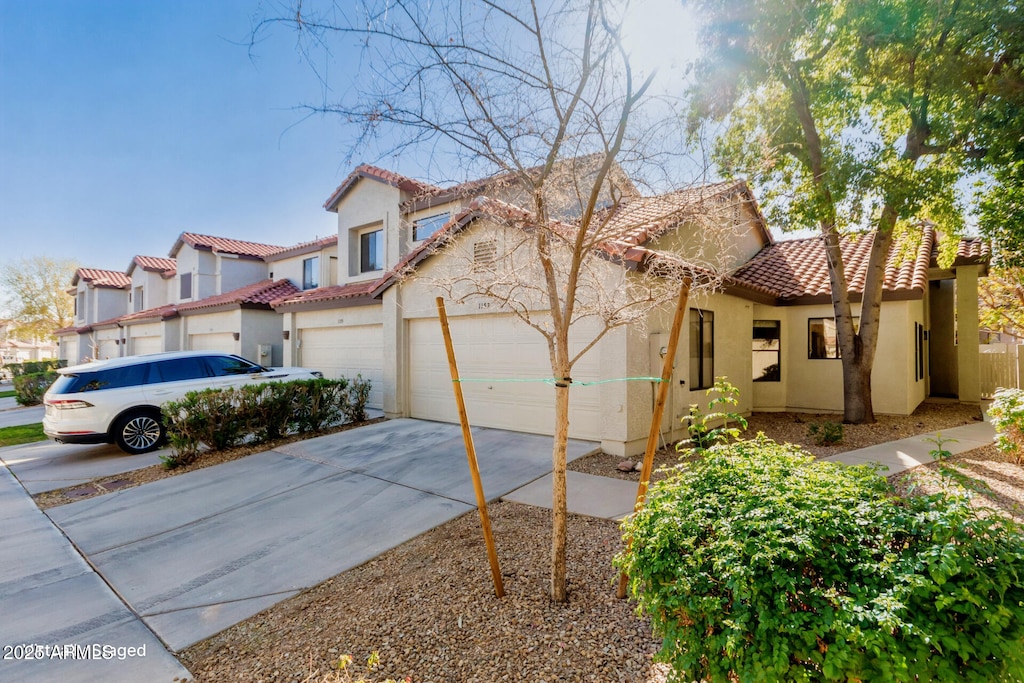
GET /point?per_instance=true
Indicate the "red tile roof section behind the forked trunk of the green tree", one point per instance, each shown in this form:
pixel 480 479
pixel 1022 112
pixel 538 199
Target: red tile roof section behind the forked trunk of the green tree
pixel 797 269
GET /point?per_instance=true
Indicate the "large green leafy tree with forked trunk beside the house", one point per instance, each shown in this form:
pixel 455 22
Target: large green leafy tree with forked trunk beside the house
pixel 864 115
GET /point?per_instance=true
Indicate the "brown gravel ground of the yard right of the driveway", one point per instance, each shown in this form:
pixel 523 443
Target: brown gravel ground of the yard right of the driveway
pixel 429 607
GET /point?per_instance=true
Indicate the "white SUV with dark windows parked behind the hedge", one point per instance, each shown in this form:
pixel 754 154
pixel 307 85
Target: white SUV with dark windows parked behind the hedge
pixel 118 401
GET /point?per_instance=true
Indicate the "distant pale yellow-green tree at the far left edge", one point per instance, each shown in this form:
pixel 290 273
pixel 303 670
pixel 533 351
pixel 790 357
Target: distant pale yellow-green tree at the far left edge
pixel 36 297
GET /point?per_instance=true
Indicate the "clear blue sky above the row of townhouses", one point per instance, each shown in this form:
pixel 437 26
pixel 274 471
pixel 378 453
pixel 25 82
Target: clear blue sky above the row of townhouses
pixel 125 123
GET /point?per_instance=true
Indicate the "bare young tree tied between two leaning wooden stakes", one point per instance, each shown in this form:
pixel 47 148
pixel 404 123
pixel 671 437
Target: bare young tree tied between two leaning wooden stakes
pixel 544 96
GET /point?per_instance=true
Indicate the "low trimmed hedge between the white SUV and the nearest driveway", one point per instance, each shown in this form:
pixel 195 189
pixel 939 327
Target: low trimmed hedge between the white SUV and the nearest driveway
pixel 220 419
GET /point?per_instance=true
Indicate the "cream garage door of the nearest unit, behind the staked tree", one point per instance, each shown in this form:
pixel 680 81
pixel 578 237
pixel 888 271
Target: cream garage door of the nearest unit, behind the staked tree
pixel 497 348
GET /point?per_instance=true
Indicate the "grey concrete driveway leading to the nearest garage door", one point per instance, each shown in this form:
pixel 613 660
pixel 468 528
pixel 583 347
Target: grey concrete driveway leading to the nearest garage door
pixel 197 553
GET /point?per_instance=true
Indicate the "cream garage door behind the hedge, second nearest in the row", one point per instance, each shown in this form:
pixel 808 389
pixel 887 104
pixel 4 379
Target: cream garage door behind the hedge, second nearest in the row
pixel 347 352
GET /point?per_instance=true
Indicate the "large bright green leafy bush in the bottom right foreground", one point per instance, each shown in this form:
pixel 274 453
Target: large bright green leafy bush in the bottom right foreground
pixel 757 564
